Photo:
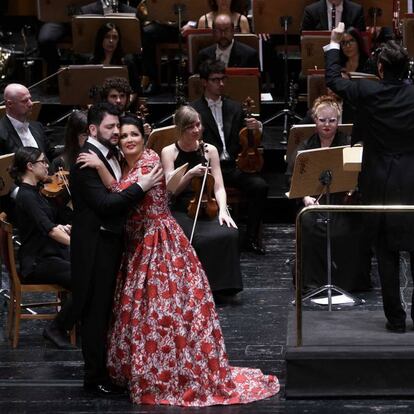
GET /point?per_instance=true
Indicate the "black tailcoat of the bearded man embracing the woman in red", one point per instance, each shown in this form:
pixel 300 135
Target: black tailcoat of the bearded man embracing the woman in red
pixel 96 211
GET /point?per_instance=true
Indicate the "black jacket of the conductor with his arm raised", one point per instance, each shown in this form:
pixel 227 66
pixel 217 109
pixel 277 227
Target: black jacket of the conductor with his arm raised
pixel 385 123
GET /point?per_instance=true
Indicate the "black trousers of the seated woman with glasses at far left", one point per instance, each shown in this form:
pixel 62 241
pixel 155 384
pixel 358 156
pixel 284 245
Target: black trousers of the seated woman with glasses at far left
pixel 55 269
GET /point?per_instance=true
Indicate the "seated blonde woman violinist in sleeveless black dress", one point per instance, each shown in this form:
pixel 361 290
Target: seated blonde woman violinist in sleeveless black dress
pixel 215 239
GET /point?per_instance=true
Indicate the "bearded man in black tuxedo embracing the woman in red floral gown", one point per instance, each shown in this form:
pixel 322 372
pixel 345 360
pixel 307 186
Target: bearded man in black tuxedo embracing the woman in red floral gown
pixel 97 240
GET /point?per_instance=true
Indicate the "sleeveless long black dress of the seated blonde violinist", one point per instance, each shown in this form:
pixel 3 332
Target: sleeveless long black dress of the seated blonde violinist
pixel 217 246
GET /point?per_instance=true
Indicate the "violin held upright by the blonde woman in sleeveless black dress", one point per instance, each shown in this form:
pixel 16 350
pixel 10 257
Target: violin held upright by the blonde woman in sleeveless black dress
pixel 203 203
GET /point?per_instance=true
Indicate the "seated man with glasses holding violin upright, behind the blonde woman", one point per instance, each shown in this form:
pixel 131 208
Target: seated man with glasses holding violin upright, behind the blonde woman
pixel 222 120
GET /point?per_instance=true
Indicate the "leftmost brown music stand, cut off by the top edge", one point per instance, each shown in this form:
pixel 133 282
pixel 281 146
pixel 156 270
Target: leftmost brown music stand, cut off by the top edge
pixel 59 11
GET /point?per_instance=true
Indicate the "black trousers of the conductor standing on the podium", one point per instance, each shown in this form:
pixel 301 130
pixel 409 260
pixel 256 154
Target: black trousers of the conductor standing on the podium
pixel 389 272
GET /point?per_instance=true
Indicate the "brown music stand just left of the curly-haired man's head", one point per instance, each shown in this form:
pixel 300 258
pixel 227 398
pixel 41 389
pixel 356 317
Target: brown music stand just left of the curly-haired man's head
pixel 78 83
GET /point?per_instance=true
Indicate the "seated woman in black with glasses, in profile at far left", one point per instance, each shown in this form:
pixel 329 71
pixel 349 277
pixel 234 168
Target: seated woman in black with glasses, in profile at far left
pixel 44 251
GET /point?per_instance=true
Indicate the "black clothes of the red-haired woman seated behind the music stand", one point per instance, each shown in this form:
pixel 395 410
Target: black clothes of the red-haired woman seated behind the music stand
pixel 350 247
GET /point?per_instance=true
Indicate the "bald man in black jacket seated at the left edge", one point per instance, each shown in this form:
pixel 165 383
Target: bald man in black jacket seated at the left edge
pixel 16 130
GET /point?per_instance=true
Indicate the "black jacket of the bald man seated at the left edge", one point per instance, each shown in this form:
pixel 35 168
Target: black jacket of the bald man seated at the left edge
pixel 10 140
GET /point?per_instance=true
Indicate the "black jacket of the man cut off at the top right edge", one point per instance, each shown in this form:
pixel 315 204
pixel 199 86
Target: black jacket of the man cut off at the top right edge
pixel 315 16
